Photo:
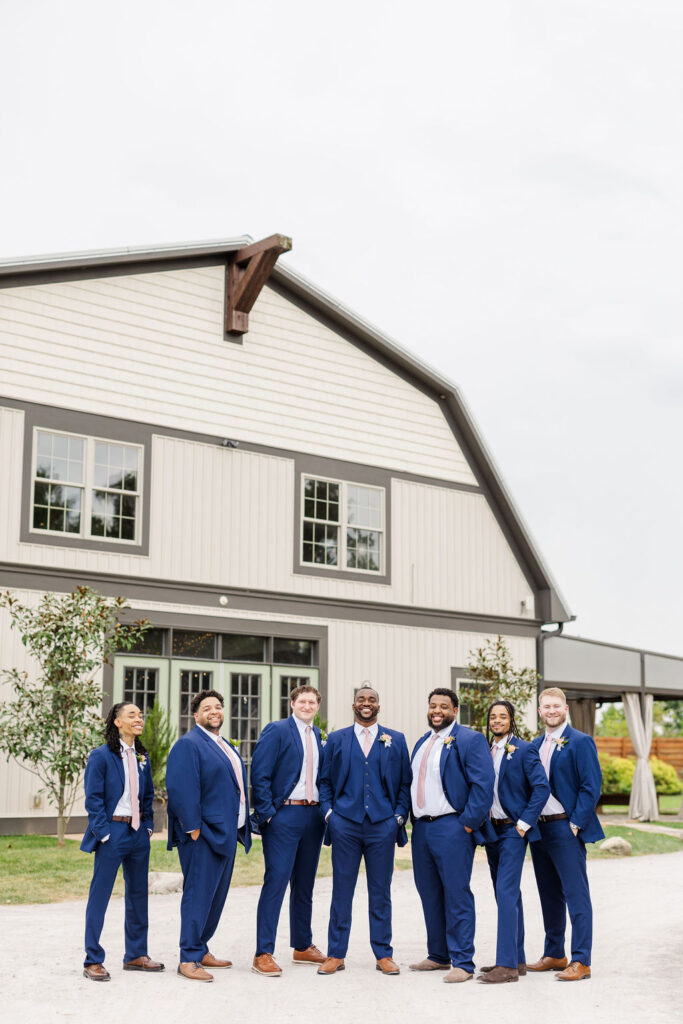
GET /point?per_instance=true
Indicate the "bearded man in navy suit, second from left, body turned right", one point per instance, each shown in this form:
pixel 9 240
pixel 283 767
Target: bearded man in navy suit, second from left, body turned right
pixel 207 815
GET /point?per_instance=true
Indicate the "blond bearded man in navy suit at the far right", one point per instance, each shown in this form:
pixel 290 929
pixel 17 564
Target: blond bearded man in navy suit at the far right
pixel 567 823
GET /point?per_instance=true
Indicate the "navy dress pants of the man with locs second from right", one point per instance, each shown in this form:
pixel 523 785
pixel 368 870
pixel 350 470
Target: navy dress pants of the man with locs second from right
pixel 506 860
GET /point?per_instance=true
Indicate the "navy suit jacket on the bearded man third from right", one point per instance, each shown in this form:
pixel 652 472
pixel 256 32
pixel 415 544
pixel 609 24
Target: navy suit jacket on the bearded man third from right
pixel 467 778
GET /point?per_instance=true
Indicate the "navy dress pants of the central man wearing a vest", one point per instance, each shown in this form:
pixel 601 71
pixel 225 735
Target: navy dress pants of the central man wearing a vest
pixel 375 843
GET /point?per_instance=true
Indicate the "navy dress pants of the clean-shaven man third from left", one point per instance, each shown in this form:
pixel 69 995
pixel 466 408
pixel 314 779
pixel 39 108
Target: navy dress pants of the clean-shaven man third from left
pixel 292 843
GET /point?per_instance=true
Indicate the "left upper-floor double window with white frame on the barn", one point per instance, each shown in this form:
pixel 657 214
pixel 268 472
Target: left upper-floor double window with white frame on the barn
pixel 88 488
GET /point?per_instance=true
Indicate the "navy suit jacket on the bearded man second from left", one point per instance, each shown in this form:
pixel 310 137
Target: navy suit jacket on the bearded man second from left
pixel 203 793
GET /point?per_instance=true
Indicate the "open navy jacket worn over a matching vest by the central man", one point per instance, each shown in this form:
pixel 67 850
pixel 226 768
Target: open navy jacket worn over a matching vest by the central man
pixel 395 773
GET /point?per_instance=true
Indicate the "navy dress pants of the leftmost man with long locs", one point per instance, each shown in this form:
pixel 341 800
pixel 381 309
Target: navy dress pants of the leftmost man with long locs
pixel 133 850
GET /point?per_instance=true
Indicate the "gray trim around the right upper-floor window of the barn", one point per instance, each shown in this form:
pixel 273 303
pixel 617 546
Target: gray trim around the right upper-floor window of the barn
pixel 318 466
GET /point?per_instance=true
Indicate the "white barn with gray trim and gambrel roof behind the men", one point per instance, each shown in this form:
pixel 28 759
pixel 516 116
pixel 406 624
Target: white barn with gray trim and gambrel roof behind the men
pixel 281 490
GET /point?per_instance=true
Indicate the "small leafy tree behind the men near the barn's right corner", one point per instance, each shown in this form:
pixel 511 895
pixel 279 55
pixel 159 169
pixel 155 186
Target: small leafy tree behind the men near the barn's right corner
pixel 493 676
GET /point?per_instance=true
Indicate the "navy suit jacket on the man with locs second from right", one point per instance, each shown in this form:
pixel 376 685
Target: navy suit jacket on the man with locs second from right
pixel 523 787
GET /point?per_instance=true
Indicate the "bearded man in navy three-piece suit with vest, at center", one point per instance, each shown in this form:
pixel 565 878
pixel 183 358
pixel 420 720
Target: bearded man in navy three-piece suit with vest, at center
pixel 365 793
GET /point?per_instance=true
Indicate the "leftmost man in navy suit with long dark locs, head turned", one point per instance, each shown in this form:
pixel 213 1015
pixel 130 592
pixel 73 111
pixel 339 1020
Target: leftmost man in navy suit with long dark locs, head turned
pixel 119 793
